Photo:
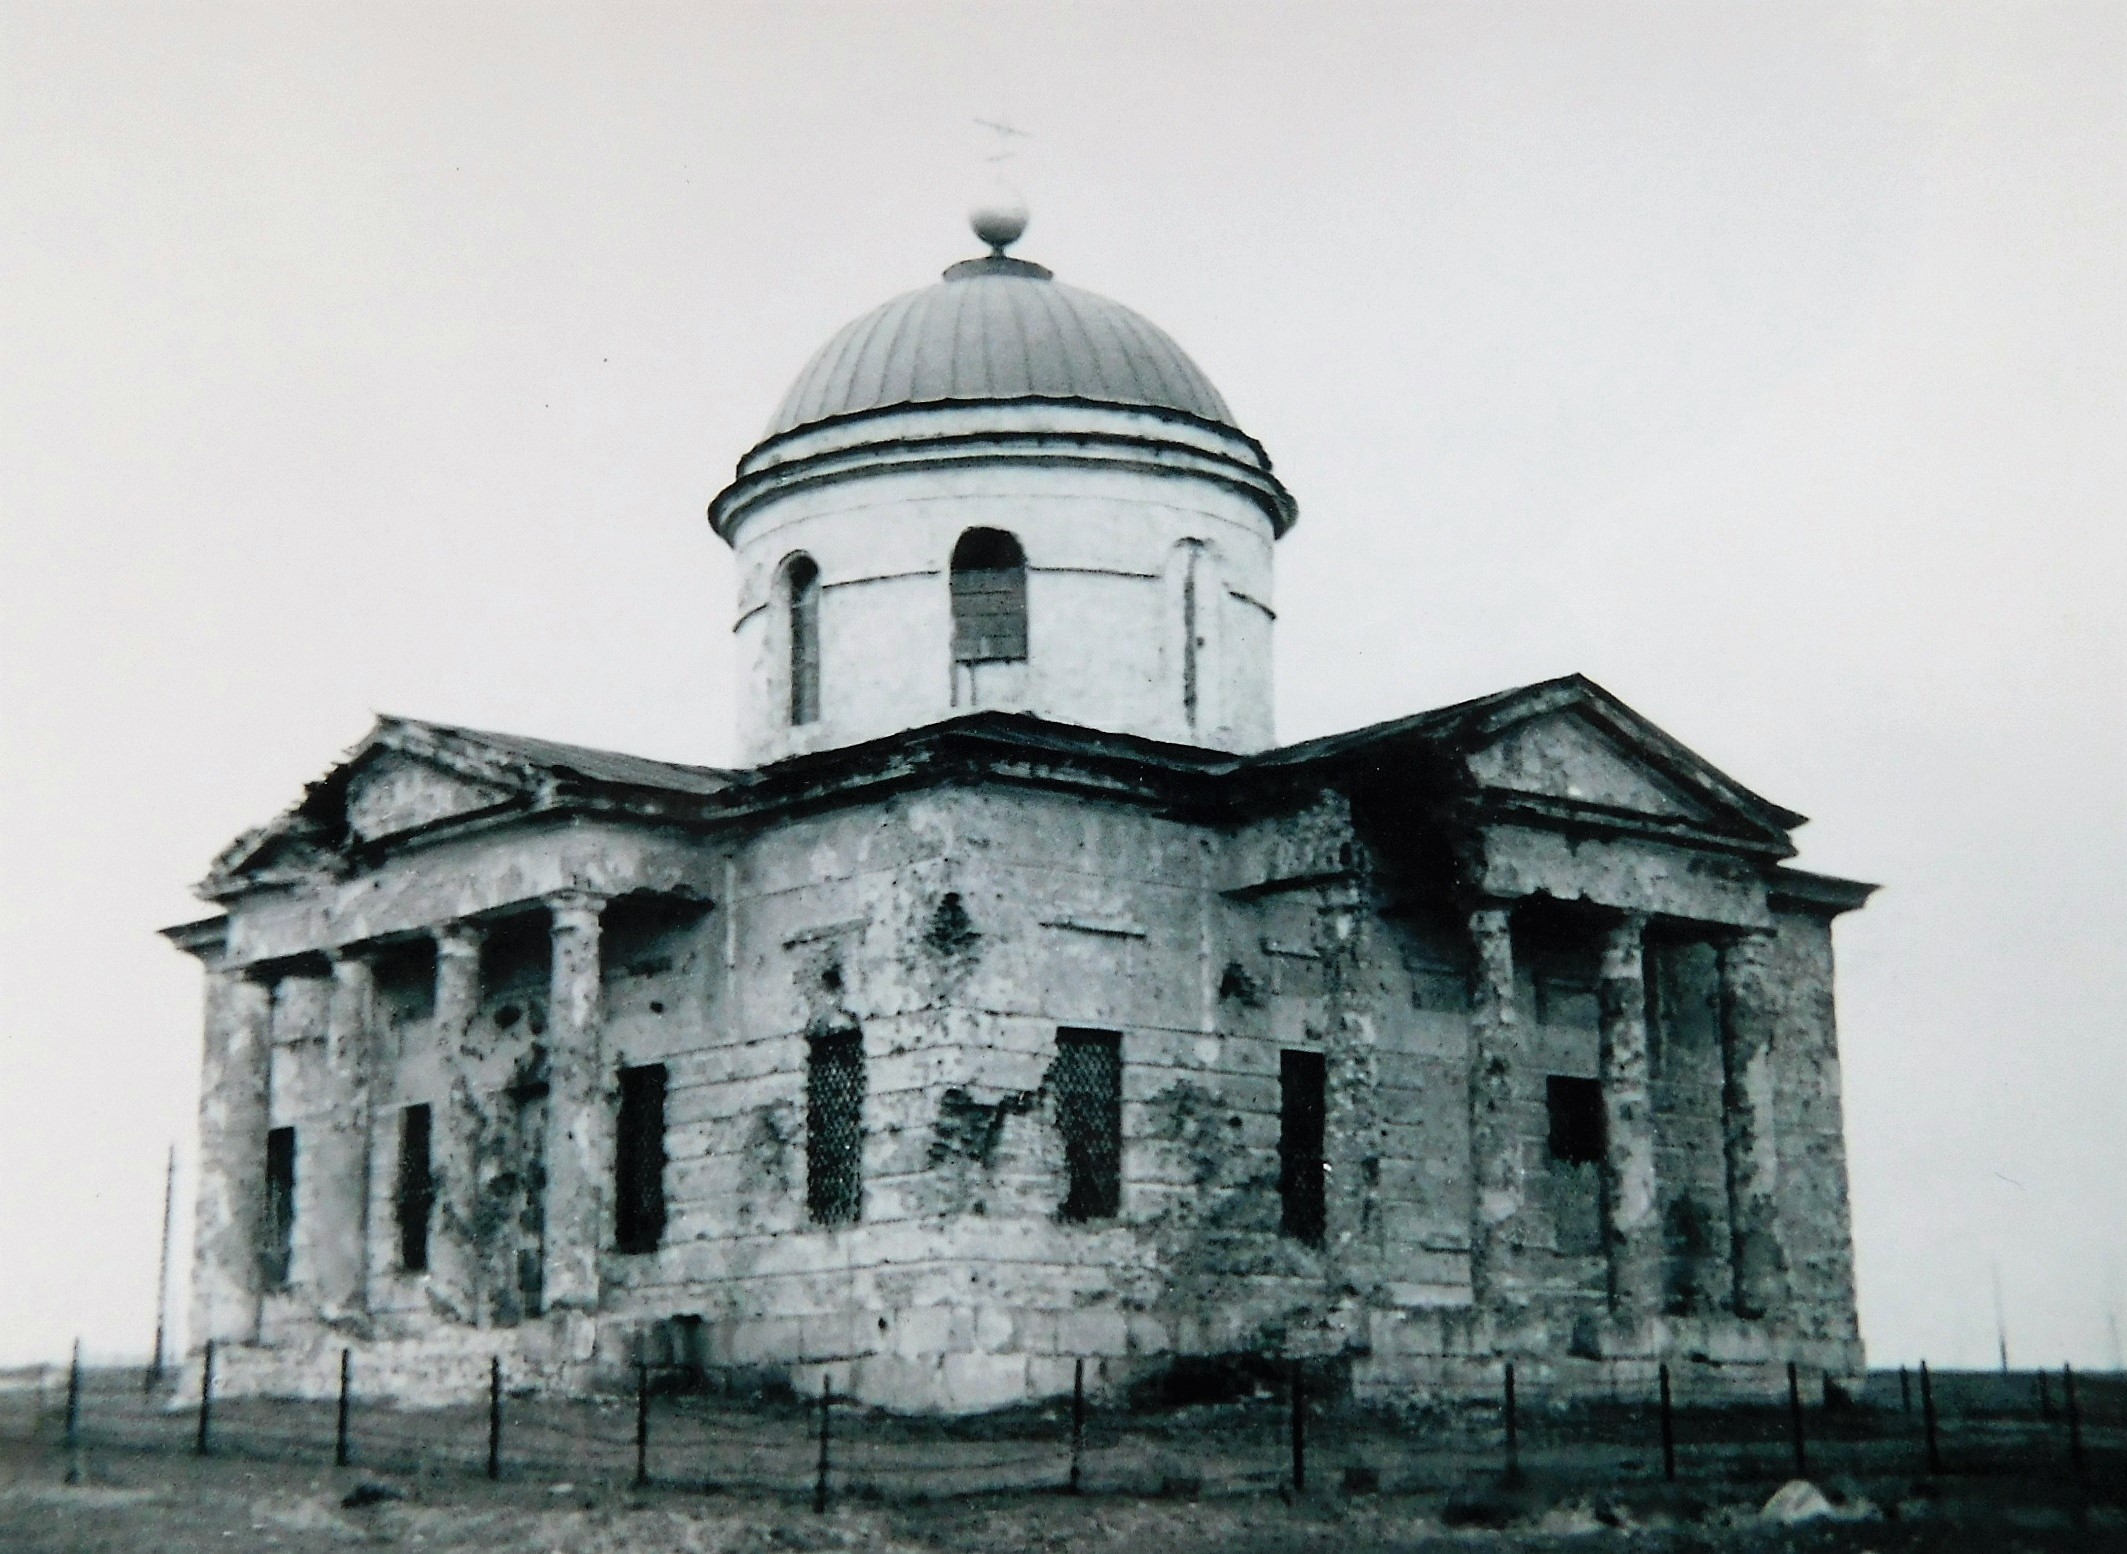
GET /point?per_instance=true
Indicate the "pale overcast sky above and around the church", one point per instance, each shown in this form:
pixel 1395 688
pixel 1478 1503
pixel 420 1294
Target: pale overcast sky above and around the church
pixel 1760 362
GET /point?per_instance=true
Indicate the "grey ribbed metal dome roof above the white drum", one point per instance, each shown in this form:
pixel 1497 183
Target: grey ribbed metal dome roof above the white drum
pixel 999 328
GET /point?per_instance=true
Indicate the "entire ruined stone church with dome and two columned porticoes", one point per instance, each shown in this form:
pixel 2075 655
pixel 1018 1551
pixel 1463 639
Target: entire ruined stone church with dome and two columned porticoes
pixel 1020 1000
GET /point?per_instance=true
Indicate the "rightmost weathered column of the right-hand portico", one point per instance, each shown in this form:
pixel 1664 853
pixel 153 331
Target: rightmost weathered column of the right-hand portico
pixel 1747 1094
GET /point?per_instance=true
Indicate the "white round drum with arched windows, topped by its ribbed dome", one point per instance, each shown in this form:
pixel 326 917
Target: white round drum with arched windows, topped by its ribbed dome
pixel 1075 437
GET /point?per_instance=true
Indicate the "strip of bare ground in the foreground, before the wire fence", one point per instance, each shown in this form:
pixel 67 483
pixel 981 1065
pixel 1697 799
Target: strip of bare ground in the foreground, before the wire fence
pixel 171 1504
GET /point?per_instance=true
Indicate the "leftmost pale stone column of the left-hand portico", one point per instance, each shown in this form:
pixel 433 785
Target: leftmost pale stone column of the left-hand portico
pixel 233 1160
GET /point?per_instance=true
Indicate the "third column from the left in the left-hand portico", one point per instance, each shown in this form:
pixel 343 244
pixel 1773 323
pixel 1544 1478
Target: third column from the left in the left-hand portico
pixel 454 1247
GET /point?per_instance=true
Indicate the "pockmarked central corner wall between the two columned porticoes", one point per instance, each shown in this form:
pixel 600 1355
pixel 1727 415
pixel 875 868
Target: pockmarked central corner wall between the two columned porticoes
pixel 960 930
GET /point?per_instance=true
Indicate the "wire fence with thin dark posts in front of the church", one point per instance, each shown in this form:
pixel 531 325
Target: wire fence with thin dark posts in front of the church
pixel 1288 1434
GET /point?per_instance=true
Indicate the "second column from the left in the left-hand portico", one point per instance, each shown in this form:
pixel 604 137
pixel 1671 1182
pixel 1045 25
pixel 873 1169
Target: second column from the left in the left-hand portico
pixel 339 1158
